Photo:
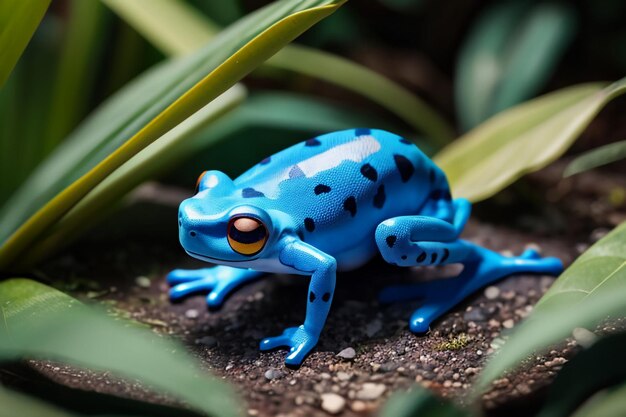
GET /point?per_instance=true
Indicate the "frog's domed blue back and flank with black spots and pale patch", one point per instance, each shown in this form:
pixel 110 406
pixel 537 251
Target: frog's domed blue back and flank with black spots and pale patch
pixel 339 186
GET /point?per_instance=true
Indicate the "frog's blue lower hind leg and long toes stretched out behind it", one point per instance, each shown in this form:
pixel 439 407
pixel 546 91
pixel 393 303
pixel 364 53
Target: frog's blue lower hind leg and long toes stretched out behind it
pixel 481 267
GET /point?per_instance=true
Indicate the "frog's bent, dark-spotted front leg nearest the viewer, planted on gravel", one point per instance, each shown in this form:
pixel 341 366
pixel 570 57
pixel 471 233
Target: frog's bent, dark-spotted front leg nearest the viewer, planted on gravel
pixel 306 259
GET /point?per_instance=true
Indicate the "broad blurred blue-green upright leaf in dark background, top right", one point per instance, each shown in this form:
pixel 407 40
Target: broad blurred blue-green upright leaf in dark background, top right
pixel 509 55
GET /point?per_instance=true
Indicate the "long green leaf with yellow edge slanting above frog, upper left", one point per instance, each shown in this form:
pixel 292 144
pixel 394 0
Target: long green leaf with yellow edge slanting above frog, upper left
pixel 189 85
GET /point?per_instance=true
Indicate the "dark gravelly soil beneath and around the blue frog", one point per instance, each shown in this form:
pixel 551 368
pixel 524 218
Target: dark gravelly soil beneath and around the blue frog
pixel 387 358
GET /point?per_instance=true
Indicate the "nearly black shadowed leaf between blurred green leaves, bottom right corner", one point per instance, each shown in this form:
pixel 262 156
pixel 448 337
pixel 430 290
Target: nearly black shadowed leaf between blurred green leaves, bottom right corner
pixel 589 371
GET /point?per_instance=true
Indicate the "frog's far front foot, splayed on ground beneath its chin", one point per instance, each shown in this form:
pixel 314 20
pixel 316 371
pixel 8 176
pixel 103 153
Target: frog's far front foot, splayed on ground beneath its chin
pixel 219 281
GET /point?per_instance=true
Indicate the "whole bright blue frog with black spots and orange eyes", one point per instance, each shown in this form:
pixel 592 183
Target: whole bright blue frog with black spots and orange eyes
pixel 332 203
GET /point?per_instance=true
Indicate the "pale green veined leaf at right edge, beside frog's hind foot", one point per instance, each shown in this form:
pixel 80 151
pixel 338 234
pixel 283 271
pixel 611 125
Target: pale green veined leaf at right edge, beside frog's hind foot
pixel 590 290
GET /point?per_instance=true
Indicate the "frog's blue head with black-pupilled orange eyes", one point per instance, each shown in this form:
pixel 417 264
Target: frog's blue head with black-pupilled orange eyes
pixel 217 224
